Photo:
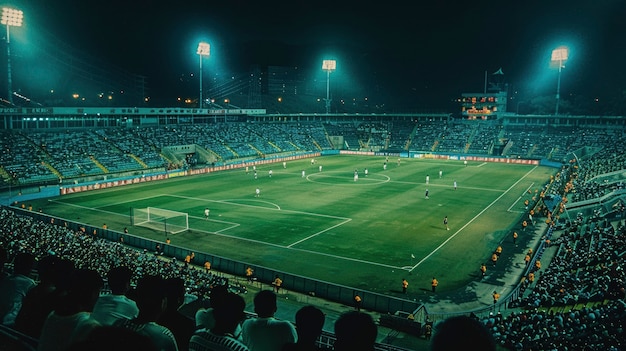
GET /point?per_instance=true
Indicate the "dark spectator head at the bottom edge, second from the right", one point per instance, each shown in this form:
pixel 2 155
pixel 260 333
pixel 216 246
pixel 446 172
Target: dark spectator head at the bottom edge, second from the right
pixel 355 331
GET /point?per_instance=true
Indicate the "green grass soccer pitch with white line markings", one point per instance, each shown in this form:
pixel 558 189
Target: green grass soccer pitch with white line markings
pixel 368 234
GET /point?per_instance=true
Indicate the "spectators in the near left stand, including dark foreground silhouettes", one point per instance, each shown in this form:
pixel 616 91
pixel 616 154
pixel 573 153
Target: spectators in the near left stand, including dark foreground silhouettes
pixel 81 292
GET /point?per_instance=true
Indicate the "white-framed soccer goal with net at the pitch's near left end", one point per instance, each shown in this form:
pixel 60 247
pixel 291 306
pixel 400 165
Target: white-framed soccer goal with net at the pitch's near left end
pixel 172 222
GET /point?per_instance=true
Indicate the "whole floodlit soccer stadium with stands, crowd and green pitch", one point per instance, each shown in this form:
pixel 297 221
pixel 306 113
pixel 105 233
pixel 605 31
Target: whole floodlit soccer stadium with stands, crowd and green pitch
pixel 184 217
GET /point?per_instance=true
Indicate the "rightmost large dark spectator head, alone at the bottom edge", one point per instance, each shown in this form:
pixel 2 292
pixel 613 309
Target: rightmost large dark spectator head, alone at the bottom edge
pixel 461 333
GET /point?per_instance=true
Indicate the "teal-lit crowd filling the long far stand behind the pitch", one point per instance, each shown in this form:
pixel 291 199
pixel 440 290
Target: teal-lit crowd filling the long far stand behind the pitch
pixel 41 156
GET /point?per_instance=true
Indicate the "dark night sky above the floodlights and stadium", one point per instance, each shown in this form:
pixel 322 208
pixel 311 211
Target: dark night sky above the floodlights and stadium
pixel 437 49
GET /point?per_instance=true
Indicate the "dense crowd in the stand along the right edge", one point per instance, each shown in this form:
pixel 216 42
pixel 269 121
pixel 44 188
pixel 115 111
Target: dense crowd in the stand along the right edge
pixel 577 302
